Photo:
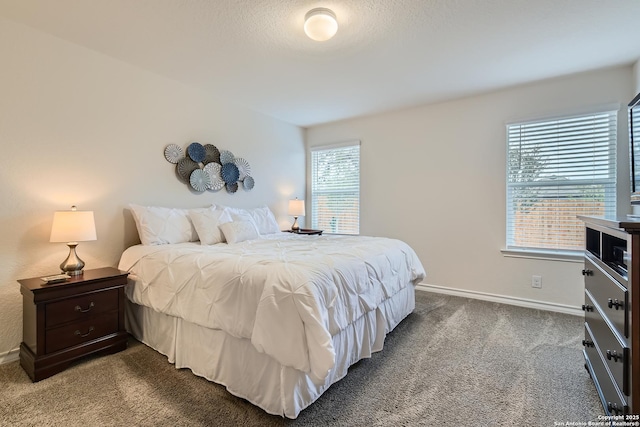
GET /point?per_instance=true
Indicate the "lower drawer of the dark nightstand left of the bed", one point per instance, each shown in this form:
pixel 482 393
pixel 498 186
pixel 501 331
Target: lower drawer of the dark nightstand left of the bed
pixel 80 332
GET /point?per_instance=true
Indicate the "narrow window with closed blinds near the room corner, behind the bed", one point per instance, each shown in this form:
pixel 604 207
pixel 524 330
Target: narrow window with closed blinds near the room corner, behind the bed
pixel 335 188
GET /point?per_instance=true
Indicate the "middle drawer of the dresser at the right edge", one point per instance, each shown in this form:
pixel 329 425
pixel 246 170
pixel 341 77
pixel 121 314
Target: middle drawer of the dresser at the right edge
pixel 615 353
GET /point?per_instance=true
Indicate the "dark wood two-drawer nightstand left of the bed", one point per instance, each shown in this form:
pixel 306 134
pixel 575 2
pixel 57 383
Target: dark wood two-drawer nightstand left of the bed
pixel 65 321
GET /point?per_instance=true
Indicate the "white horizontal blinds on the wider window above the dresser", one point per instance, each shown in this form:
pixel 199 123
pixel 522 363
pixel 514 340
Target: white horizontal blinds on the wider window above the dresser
pixel 558 169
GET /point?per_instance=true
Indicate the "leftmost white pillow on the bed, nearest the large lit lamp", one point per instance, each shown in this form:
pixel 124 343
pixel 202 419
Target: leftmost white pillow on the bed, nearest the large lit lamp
pixel 159 226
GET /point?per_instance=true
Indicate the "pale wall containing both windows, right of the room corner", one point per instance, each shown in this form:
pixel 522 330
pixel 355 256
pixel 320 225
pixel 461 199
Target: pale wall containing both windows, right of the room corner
pixel 434 176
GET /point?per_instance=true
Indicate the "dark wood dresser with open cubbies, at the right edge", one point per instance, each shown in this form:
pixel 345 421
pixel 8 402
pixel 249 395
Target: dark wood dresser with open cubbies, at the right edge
pixel 612 311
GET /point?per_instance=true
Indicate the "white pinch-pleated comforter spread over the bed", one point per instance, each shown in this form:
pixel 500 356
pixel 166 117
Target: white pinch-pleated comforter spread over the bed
pixel 287 293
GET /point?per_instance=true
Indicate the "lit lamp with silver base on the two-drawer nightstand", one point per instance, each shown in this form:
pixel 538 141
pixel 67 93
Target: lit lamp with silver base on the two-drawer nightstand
pixel 72 227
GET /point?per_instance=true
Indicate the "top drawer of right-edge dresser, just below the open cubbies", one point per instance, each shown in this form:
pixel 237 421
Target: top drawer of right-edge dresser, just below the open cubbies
pixel 610 295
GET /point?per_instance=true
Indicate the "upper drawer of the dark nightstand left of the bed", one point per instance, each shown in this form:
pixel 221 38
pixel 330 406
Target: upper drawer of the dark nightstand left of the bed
pixel 81 307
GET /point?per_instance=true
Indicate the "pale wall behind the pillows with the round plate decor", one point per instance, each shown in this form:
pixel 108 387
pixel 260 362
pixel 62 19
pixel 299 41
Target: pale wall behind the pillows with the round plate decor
pixel 77 127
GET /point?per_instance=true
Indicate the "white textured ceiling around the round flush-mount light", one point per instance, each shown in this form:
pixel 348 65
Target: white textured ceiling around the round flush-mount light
pixel 387 54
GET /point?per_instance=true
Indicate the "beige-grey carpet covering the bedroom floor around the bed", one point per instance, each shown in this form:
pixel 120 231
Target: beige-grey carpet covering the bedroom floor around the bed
pixel 453 362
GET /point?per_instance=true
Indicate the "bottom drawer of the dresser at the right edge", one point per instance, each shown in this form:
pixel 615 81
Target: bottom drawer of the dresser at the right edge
pixel 612 400
